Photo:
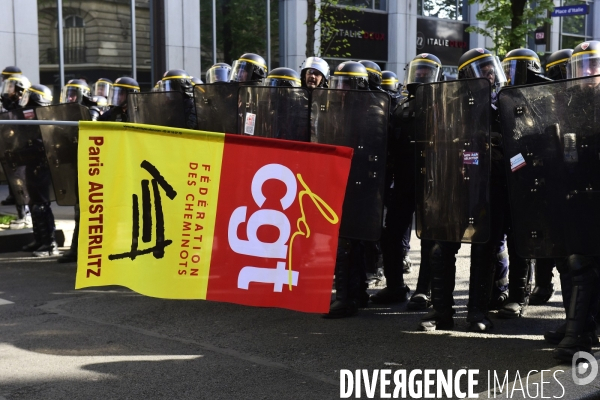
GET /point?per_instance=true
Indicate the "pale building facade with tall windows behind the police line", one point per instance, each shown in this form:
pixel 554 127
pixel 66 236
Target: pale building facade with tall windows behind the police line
pixel 97 35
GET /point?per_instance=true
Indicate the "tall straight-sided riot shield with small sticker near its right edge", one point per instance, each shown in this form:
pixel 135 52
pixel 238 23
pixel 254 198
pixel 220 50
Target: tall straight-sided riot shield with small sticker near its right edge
pixel 452 121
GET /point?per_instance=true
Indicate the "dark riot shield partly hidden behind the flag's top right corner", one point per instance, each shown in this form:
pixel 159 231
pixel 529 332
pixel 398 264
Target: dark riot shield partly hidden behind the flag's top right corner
pixel 357 119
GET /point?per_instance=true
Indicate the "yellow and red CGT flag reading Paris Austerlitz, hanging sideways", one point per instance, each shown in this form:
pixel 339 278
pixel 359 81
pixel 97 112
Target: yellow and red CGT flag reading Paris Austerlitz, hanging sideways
pixel 181 214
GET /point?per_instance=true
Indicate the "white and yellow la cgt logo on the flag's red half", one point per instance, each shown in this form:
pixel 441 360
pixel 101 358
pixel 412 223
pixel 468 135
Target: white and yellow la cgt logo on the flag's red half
pixel 280 250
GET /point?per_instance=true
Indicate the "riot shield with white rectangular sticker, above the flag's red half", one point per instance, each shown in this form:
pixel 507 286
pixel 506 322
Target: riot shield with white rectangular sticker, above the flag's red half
pixel 274 112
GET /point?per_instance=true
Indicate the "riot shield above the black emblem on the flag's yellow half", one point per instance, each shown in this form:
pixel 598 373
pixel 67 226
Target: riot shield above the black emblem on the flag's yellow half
pixel 157 108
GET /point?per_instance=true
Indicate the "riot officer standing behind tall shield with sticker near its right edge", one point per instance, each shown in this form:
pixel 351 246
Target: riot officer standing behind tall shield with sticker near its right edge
pixel 475 63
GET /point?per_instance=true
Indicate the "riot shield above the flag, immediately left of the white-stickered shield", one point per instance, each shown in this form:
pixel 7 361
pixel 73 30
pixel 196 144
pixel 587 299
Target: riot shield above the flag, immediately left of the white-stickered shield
pixel 217 107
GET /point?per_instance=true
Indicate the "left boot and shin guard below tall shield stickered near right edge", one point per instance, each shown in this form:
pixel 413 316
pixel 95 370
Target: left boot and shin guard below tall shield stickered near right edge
pixel 442 286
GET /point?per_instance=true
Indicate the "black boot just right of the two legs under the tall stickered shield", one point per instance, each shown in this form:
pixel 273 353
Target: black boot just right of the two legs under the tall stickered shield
pixel 518 289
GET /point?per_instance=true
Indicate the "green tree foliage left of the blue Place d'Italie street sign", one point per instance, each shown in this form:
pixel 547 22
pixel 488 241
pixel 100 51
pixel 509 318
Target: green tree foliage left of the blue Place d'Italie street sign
pixel 510 21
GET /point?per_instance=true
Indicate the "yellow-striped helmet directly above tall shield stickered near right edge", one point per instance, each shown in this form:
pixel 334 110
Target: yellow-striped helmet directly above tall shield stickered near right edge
pixel 481 63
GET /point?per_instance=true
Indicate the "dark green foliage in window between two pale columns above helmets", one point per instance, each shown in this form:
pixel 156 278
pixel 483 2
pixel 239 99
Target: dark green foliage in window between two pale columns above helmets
pixel 241 28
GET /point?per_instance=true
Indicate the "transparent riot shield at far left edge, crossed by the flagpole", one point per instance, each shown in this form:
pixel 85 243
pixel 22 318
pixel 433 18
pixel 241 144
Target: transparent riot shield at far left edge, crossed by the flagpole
pixel 24 160
